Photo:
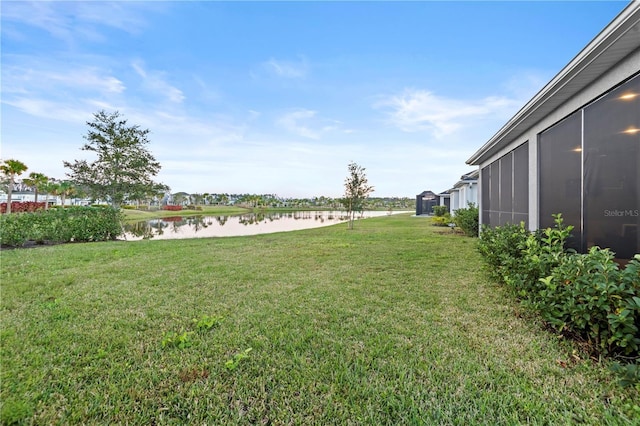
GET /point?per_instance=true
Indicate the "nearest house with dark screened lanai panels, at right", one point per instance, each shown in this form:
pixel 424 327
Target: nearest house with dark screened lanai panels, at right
pixel 574 148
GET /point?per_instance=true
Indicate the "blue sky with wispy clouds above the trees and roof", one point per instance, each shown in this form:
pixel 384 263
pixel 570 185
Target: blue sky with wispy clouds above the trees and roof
pixel 278 97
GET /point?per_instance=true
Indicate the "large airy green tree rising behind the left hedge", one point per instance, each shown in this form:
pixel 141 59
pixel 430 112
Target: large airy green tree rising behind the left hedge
pixel 123 166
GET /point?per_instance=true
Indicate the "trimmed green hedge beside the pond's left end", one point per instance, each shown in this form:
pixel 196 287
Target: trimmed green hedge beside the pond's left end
pixel 61 225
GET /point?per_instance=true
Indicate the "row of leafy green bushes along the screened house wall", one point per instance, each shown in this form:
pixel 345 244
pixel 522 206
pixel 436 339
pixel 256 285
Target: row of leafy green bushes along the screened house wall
pixel 583 295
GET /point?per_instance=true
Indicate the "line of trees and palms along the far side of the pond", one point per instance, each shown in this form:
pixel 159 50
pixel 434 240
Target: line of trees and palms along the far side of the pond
pixel 124 170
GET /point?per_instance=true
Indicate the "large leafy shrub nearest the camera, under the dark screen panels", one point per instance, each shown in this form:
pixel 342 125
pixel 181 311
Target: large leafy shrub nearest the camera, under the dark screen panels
pixel 588 295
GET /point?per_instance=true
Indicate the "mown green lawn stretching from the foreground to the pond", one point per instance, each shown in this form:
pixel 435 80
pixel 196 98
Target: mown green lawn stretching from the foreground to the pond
pixel 391 323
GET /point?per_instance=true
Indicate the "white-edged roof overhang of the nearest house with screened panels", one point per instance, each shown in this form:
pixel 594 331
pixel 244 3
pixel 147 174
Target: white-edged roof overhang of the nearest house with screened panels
pixel 616 41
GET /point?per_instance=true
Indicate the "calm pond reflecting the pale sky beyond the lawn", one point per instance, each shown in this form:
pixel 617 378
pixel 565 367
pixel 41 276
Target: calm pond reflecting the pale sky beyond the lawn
pixel 178 227
